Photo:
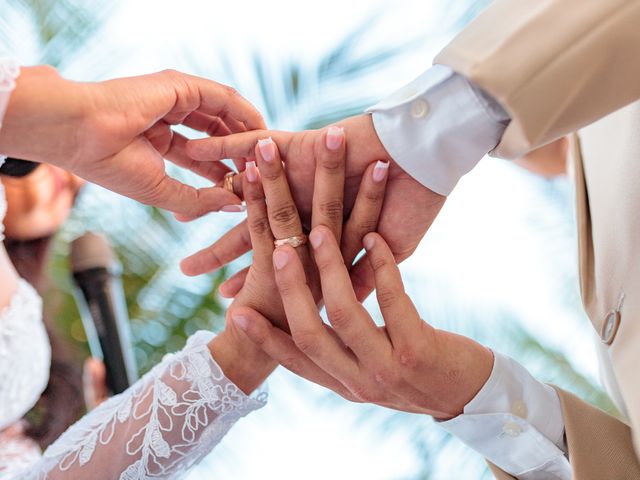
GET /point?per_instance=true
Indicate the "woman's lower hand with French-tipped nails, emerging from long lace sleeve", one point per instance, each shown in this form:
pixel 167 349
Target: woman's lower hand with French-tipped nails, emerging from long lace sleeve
pixel 272 214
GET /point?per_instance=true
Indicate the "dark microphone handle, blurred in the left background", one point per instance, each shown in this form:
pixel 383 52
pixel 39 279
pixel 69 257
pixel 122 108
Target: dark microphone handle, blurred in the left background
pixel 106 318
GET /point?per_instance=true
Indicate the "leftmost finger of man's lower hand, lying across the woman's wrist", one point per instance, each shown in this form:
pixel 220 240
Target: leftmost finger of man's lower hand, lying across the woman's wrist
pixel 281 347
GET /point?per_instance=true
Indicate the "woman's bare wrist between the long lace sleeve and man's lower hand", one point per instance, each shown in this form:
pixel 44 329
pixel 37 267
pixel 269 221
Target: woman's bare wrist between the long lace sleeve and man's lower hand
pixel 242 362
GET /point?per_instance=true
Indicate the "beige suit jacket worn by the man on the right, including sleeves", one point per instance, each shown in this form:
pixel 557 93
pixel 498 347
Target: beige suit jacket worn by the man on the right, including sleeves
pixel 560 66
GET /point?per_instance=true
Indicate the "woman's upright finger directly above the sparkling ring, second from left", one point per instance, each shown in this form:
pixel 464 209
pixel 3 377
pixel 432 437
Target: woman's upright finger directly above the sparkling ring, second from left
pixel 283 214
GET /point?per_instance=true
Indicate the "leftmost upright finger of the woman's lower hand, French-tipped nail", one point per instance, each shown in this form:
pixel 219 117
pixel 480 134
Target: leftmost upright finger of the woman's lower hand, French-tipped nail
pixel 258 219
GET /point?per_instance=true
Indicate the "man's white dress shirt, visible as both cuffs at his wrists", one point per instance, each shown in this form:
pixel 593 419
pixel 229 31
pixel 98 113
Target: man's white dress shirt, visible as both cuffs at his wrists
pixel 437 129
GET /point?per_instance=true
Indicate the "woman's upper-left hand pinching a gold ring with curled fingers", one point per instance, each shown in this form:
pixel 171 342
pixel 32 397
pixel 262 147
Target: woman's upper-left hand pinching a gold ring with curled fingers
pixel 116 133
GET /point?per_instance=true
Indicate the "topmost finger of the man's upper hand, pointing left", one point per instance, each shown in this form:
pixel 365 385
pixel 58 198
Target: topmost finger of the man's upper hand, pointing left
pixel 233 146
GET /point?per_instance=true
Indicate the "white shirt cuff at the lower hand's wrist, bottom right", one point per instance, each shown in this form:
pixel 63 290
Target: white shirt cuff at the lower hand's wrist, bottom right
pixel 516 423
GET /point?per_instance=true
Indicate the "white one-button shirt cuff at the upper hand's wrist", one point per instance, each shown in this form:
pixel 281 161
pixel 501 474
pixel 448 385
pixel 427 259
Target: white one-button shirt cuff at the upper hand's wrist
pixel 438 127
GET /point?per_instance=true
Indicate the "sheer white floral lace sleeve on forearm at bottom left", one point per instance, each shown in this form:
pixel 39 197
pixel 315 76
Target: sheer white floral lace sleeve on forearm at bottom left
pixel 164 424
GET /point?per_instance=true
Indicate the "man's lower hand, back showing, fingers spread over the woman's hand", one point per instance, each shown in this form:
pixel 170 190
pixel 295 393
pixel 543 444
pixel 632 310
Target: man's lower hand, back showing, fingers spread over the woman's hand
pixel 406 365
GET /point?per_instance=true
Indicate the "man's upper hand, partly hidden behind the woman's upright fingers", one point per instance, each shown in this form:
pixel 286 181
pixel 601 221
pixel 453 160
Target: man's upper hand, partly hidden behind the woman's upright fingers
pixel 408 211
